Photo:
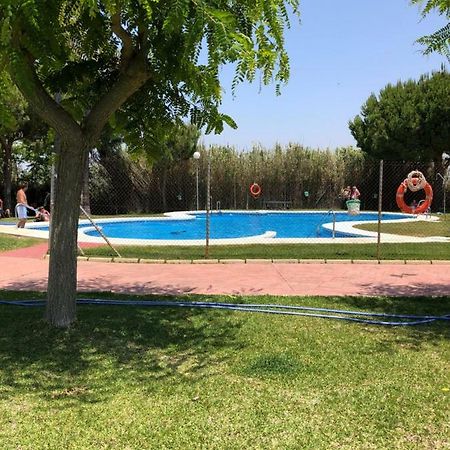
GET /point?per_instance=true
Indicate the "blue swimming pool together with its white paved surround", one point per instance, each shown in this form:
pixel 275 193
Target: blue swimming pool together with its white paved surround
pixel 238 227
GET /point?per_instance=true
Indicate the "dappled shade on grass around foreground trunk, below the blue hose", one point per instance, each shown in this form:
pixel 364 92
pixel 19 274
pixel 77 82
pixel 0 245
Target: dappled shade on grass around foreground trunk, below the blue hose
pixel 109 348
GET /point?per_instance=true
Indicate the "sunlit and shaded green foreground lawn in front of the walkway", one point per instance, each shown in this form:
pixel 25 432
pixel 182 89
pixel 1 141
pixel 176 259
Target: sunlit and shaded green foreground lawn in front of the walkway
pixel 135 378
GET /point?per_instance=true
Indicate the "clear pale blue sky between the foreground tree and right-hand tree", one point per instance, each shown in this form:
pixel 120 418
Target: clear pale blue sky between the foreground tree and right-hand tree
pixel 342 51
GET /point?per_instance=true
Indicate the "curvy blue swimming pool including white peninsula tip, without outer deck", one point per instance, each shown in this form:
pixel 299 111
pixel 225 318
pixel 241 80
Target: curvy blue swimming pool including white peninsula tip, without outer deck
pixel 235 225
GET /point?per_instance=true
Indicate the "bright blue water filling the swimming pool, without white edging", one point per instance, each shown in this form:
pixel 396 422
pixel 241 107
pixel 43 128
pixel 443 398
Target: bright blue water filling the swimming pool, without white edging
pixel 229 225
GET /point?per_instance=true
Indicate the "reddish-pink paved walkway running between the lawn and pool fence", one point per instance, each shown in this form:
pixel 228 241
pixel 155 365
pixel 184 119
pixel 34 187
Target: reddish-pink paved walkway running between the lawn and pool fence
pixel 26 269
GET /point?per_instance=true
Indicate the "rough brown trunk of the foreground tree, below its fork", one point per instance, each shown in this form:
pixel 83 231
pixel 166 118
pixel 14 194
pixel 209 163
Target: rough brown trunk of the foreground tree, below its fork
pixel 62 279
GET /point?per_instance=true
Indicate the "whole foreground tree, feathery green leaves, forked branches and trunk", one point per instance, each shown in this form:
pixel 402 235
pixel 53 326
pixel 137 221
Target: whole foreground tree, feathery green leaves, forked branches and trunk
pixel 152 62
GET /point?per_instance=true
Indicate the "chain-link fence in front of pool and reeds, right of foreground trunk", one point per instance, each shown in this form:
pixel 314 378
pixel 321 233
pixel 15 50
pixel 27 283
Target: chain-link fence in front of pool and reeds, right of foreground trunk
pixel 288 203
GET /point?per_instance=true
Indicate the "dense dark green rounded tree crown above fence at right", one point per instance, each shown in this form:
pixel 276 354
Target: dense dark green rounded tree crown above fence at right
pixel 406 121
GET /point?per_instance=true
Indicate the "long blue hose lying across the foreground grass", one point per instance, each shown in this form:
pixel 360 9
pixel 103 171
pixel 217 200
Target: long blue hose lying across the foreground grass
pixel 409 320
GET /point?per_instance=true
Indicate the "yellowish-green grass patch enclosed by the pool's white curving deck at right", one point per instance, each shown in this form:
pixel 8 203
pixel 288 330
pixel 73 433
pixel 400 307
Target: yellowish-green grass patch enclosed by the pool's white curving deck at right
pixel 419 229
